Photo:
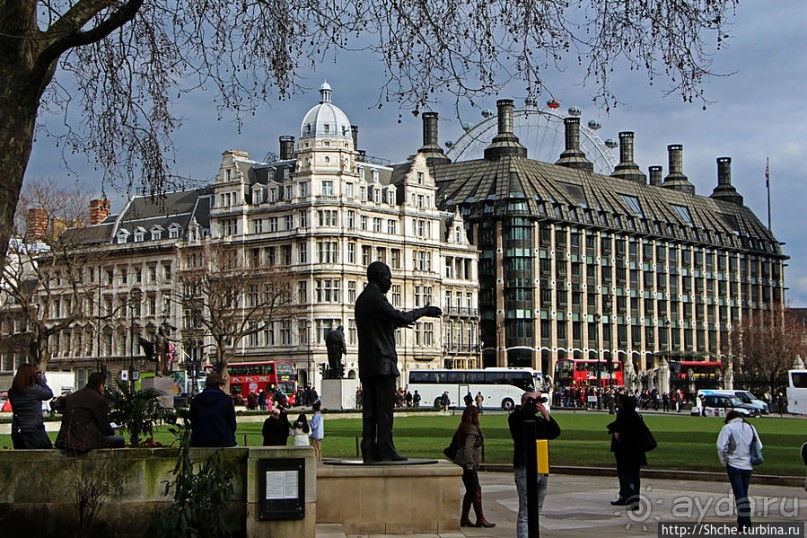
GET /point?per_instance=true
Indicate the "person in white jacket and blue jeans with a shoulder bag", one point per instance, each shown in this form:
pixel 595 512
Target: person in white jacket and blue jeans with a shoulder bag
pixel 734 451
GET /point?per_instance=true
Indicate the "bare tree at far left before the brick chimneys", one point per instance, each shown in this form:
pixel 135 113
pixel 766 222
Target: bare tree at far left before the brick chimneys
pixel 44 281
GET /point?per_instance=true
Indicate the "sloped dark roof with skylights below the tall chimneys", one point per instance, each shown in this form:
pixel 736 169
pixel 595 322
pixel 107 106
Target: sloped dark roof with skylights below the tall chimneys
pixel 520 186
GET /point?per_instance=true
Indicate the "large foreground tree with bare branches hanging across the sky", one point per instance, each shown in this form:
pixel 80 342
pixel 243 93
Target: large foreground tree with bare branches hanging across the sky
pixel 123 63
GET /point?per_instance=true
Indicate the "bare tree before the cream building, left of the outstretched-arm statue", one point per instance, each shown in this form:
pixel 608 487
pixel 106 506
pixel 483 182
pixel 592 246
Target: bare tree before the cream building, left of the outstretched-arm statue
pixel 230 298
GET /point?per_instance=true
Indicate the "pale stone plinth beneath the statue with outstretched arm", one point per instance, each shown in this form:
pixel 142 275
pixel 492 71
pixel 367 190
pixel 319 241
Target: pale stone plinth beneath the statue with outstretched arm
pixel 390 499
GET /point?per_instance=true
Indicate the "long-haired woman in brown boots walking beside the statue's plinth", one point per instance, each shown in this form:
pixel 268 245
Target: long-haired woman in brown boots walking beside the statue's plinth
pixel 469 441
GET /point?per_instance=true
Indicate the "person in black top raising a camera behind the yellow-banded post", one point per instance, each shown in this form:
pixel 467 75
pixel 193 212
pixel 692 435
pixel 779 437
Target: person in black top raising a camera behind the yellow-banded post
pixel 531 408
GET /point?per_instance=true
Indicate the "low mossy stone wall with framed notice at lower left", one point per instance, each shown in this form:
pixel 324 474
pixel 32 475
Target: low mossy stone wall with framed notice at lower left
pixel 38 490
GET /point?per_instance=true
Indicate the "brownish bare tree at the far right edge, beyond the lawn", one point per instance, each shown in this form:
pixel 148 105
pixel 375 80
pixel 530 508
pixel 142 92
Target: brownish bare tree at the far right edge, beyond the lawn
pixel 766 345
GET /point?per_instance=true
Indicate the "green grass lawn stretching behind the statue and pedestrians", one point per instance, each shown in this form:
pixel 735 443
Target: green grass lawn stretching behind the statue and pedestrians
pixel 684 442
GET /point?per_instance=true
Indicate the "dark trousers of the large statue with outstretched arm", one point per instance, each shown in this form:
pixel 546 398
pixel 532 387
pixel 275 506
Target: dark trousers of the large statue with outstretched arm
pixel 378 401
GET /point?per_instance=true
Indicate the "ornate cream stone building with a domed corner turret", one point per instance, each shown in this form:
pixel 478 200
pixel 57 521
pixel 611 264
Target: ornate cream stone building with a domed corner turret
pixel 317 215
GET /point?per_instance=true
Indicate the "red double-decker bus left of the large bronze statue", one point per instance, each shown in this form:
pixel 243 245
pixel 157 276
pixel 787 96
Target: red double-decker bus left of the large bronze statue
pixel 269 376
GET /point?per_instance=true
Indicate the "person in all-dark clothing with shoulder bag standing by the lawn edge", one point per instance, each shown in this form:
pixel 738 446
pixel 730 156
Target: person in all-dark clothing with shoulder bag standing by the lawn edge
pixel 627 444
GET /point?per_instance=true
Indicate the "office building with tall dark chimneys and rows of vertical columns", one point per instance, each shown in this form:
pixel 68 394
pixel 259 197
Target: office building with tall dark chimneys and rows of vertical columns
pixel 580 264
